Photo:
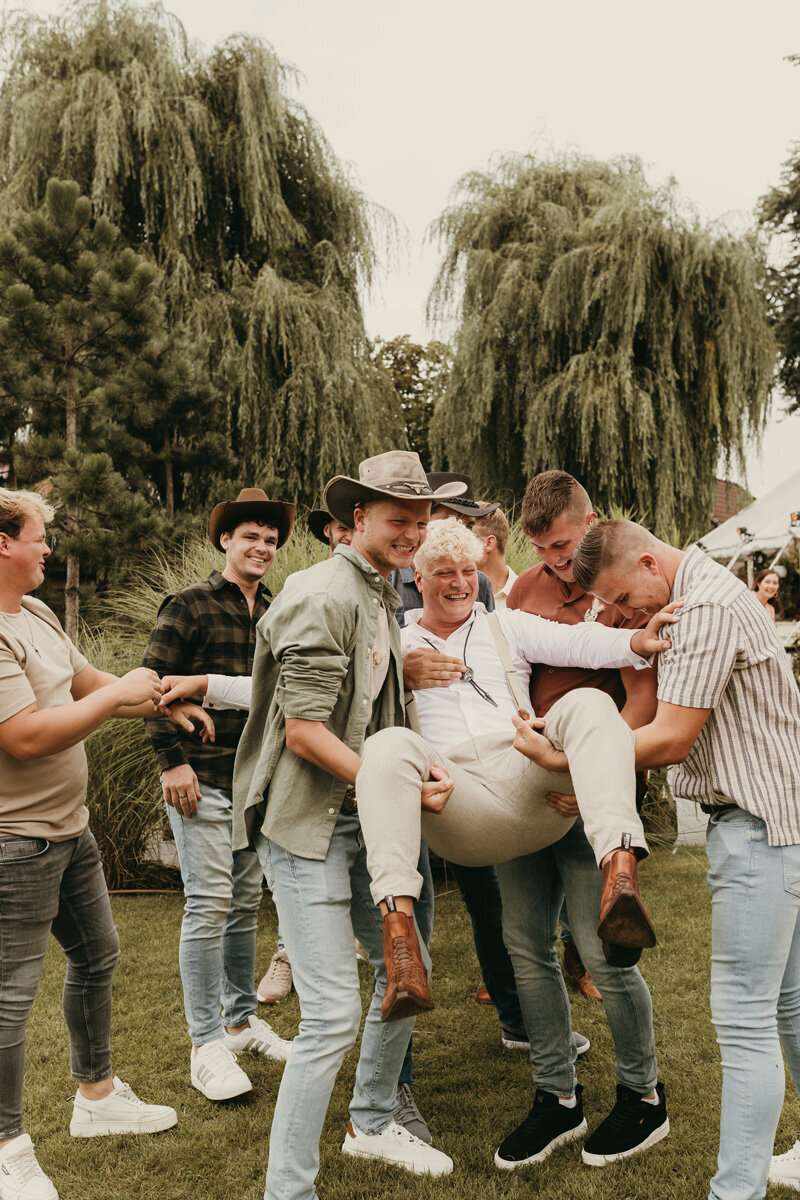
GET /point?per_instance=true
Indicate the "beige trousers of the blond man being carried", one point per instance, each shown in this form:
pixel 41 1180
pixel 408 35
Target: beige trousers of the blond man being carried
pixel 498 808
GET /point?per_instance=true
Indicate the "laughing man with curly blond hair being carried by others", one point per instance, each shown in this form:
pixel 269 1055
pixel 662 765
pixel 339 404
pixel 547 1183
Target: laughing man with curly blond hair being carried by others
pixel 500 808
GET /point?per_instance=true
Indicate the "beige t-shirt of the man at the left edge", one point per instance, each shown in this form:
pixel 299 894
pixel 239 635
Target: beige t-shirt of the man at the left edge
pixel 43 797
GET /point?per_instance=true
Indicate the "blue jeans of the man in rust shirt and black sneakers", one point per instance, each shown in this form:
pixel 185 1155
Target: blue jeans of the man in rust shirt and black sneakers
pixel 533 891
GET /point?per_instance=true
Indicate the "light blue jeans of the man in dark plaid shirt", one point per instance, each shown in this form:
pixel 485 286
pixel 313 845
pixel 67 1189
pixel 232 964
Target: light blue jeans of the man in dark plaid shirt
pixel 224 895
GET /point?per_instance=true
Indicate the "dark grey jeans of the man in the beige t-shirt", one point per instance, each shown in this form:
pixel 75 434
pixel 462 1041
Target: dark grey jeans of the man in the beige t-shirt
pixel 55 887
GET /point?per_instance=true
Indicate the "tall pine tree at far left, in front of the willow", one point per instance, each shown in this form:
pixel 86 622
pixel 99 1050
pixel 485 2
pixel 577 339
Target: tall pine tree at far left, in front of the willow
pixel 76 308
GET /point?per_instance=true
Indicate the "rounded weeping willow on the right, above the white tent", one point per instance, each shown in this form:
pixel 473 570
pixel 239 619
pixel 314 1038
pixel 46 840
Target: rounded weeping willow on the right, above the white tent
pixel 603 331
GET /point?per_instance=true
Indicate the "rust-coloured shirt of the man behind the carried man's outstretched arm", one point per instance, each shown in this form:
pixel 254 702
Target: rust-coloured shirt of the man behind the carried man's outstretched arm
pixel 542 592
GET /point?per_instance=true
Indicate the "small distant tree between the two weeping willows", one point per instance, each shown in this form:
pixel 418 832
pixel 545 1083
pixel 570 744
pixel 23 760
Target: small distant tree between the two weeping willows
pixel 420 379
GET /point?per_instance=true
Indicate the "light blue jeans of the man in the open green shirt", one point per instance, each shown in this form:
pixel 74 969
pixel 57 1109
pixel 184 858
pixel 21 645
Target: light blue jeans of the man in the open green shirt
pixel 321 907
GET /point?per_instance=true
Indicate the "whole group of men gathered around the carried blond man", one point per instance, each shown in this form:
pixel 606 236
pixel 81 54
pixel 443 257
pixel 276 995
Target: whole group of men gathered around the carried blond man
pixel 395 699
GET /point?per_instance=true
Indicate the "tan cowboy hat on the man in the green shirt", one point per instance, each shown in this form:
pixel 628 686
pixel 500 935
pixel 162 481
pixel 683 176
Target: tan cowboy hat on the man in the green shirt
pixel 396 476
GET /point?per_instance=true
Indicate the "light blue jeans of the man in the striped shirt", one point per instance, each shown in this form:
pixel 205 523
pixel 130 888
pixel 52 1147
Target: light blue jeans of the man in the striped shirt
pixel 755 993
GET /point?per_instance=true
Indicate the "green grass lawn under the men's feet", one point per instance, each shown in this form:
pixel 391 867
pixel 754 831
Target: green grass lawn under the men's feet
pixel 471 1090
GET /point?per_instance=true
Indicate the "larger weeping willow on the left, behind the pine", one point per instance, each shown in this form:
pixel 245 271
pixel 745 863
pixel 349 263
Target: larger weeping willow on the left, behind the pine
pixel 206 164
